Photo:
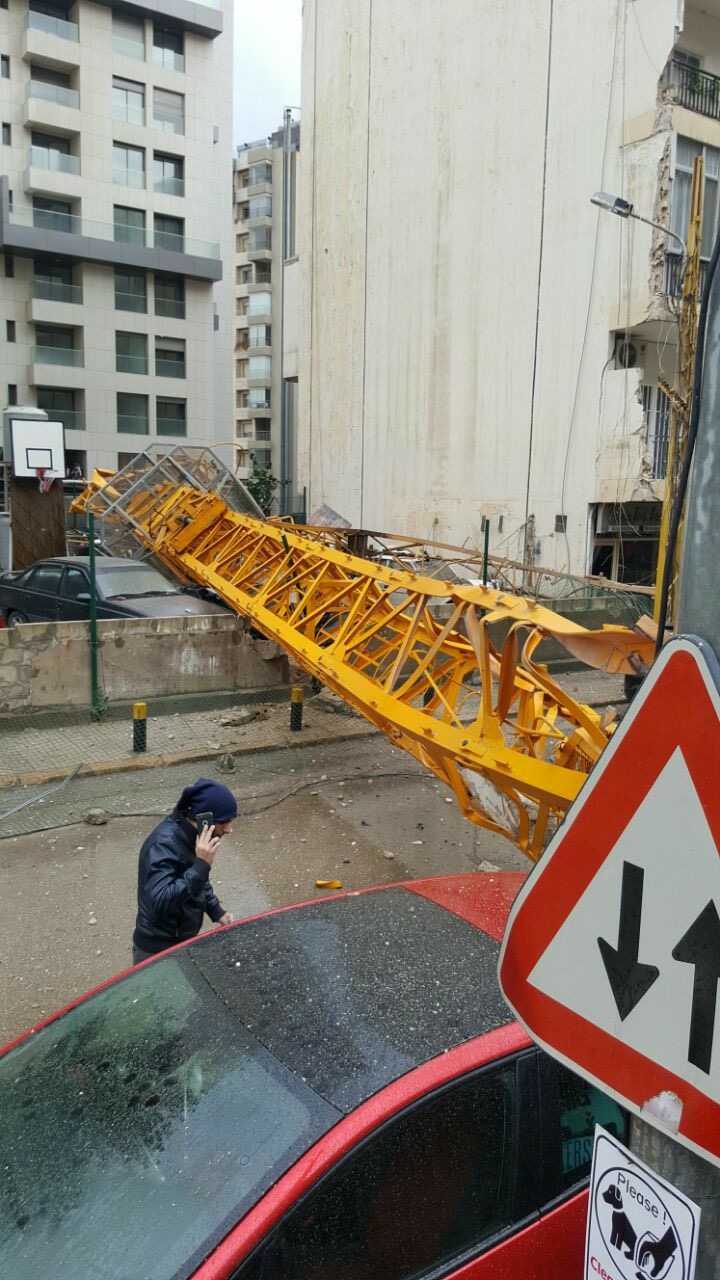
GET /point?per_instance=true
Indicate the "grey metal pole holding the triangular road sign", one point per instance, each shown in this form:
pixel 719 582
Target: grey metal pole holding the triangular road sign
pixel 699 615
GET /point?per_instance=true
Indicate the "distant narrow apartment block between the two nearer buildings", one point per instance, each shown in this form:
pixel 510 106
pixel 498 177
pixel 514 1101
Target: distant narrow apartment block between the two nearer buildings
pixel 266 383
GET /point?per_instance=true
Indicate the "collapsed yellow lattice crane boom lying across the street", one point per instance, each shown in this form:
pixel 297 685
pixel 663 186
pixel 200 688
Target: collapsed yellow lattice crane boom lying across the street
pixel 470 705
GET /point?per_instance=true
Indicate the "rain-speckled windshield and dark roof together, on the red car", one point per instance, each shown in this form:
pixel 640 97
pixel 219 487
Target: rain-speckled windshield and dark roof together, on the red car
pixel 152 1116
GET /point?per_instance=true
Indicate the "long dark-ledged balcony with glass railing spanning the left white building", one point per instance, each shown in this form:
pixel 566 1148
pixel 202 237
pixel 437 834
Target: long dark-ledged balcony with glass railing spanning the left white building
pixel 42 231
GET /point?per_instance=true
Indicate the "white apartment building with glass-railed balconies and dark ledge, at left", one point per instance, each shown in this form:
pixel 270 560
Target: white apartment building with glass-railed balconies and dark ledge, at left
pixel 116 221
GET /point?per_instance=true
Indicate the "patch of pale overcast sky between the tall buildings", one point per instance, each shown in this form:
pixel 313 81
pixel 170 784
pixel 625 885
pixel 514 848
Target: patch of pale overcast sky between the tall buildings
pixel 267 66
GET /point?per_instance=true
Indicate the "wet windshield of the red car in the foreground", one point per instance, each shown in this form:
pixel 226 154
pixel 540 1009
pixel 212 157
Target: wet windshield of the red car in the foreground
pixel 139 1128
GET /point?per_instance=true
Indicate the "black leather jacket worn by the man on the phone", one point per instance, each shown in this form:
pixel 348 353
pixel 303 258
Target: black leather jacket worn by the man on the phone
pixel 174 888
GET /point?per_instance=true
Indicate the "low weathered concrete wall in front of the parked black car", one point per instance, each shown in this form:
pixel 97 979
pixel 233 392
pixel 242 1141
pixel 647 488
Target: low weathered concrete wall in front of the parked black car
pixel 48 665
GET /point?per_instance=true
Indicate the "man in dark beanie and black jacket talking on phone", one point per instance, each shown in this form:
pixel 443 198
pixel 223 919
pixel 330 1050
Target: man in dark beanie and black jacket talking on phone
pixel 174 875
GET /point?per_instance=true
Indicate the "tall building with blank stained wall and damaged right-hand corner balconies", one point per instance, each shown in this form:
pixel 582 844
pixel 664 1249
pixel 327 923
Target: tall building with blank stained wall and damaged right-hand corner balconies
pixel 476 339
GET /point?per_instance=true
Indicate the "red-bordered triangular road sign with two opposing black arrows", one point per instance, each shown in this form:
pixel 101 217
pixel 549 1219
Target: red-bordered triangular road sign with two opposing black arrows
pixel 612 956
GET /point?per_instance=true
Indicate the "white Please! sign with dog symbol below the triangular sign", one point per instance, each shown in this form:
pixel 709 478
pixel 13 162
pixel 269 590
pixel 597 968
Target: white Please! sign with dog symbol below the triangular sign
pixel 640 1228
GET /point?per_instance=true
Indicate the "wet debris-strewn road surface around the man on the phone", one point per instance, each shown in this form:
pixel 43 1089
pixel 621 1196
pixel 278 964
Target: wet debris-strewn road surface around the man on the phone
pixel 318 812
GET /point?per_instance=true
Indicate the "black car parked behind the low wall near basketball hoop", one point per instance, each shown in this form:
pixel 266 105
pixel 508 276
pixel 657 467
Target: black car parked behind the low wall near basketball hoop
pixel 58 591
